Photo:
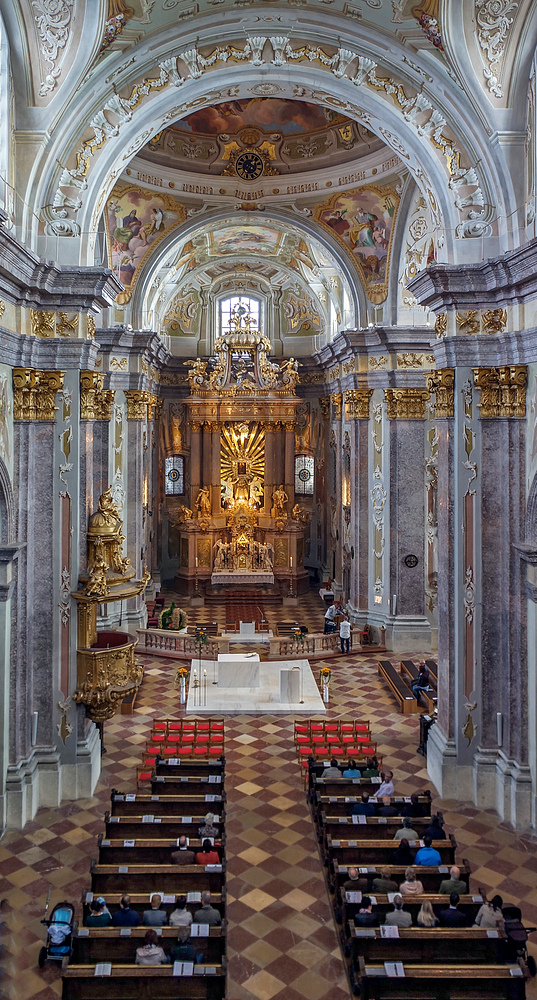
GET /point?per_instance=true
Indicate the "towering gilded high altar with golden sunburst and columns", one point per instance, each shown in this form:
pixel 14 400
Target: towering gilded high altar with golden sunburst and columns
pixel 243 527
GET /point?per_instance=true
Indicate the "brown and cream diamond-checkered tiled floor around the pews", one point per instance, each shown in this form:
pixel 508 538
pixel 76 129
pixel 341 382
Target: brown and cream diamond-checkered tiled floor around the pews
pixel 282 942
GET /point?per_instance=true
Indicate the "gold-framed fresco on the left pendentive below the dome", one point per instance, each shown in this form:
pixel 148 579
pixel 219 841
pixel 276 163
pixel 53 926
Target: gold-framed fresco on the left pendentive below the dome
pixel 136 220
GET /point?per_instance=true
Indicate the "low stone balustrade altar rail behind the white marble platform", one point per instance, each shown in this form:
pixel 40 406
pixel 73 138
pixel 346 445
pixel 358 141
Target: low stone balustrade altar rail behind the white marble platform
pixel 162 642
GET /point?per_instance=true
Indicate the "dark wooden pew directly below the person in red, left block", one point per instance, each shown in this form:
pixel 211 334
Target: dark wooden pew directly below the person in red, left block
pixel 140 878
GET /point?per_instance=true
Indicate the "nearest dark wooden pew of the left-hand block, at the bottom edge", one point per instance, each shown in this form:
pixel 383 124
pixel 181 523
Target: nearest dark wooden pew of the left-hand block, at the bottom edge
pixel 143 983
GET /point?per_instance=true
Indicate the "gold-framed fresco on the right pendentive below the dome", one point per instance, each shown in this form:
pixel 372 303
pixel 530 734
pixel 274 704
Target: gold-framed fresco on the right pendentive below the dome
pixel 364 221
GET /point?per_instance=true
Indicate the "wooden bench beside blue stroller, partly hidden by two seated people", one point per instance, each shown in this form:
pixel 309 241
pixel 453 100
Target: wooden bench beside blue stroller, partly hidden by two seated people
pixel 112 944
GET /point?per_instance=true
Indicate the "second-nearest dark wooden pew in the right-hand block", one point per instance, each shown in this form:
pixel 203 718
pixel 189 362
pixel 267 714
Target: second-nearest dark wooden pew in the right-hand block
pixel 427 944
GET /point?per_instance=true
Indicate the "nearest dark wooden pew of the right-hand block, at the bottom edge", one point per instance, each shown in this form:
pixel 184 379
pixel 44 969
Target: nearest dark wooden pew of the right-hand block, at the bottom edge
pixel 450 982
